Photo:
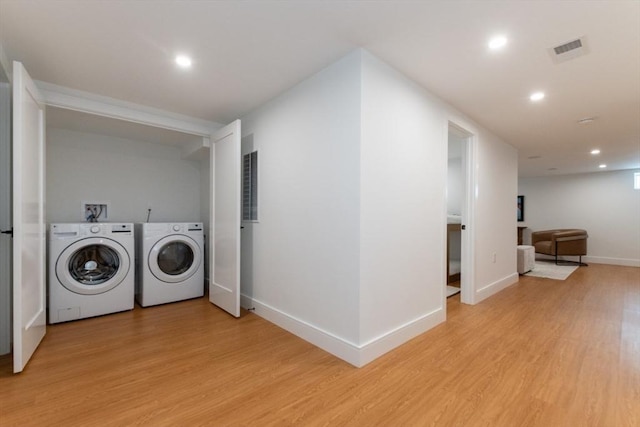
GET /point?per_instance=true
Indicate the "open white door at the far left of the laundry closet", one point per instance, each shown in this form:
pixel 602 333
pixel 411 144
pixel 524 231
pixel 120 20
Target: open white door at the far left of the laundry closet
pixel 29 238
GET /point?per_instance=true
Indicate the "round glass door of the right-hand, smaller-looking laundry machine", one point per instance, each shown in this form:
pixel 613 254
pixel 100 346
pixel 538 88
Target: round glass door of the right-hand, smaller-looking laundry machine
pixel 174 258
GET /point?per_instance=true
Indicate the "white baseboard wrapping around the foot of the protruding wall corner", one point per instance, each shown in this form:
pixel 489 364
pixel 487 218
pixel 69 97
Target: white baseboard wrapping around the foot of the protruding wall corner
pixel 356 355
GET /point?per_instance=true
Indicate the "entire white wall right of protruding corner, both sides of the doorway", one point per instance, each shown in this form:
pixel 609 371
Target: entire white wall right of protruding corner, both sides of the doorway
pixel 403 209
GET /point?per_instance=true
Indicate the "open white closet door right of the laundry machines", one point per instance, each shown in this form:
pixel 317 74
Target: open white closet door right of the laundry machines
pixel 224 235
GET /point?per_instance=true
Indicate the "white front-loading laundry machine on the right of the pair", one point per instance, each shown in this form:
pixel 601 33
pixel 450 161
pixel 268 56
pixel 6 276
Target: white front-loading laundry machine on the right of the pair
pixel 170 262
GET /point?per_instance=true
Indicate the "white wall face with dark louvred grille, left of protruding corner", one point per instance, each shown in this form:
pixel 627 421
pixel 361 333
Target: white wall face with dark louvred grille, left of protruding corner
pixel 305 245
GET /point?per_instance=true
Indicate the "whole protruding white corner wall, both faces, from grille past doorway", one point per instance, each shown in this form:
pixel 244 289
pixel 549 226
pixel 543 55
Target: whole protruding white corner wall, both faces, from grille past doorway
pixel 349 250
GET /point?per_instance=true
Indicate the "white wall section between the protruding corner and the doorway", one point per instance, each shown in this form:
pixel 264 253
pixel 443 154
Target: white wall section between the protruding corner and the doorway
pixel 403 182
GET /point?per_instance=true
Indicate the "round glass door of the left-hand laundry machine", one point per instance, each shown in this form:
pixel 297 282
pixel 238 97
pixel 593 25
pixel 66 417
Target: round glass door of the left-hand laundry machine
pixel 92 266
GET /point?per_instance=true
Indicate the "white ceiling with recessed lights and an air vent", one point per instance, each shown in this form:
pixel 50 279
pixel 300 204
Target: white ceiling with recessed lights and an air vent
pixel 247 52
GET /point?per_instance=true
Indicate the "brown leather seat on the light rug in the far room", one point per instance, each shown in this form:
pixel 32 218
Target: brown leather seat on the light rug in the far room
pixel 566 241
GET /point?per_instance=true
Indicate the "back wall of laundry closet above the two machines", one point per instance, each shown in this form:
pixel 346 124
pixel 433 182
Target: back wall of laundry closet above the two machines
pixel 130 175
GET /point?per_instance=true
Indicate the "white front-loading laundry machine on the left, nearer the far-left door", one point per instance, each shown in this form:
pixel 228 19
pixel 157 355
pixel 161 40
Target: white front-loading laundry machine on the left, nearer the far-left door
pixel 91 270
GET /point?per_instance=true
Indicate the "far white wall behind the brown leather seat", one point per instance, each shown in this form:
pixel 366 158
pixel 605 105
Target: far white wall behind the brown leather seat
pixel 603 203
